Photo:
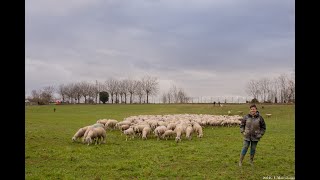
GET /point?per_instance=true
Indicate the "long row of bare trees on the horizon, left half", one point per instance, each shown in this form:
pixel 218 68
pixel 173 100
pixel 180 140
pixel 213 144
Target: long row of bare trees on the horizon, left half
pixel 119 91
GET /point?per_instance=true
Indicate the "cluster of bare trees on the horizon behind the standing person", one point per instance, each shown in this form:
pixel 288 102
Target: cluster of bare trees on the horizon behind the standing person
pixel 277 90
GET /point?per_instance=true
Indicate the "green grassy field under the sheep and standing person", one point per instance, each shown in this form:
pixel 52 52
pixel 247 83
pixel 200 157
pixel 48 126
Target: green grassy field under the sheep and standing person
pixel 51 154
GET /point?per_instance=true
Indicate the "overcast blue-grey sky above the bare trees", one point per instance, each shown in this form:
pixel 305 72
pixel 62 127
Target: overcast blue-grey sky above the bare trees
pixel 207 47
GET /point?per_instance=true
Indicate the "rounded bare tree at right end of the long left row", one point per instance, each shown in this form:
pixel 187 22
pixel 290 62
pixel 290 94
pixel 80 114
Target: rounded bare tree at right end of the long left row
pixel 150 86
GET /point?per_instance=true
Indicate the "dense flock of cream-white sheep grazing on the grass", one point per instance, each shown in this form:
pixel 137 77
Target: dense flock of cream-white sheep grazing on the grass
pixel 159 126
